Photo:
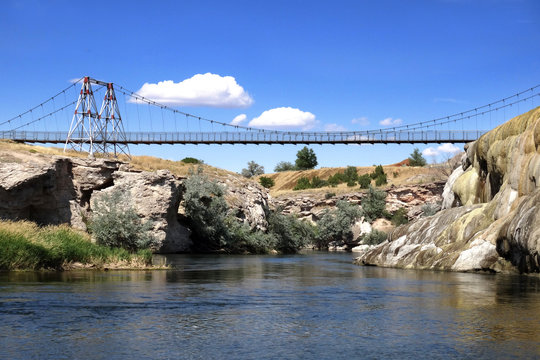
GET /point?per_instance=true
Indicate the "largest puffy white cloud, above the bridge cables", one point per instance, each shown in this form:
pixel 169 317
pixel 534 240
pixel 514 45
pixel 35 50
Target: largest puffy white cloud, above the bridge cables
pixel 200 90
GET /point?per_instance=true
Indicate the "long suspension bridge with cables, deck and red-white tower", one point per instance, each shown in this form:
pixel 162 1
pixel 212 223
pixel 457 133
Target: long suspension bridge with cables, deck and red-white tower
pixel 103 131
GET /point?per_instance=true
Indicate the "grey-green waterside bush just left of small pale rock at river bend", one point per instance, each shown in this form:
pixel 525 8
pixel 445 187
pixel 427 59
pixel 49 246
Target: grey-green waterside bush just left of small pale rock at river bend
pixel 336 225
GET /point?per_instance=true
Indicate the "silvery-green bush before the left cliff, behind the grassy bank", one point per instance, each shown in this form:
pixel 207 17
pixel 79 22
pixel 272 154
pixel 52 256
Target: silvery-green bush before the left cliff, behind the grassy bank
pixel 115 223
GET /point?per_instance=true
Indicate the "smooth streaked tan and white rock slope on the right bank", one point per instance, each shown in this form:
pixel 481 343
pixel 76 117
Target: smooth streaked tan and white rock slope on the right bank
pixel 492 216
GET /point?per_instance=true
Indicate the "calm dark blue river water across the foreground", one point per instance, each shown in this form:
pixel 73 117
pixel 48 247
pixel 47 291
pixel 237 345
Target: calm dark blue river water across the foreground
pixel 311 306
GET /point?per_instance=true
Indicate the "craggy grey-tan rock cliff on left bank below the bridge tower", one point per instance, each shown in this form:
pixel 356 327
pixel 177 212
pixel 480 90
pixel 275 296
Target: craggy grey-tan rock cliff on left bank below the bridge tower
pixel 55 190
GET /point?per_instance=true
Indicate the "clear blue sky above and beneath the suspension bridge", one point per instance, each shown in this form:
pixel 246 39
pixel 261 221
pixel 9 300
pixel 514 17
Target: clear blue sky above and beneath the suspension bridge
pixel 350 64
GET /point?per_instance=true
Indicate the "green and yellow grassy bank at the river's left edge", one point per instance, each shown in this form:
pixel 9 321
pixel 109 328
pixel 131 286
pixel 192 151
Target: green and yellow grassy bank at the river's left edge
pixel 25 246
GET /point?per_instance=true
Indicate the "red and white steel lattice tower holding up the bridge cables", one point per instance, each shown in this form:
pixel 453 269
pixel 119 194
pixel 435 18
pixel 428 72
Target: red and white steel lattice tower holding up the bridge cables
pixel 95 132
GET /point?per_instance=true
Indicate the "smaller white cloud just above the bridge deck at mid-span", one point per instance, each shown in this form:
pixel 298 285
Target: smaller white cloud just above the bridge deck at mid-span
pixel 284 117
